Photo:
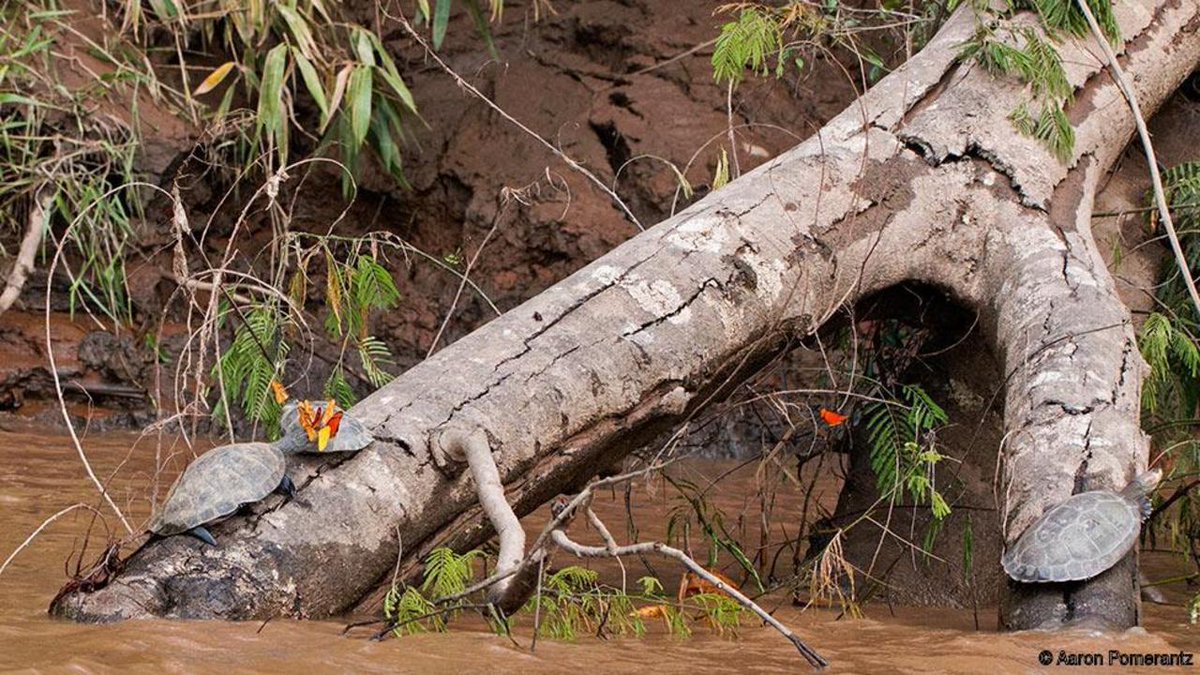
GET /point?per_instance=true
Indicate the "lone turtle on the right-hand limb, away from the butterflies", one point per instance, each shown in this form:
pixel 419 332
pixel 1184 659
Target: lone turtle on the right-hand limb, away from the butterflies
pixel 1083 536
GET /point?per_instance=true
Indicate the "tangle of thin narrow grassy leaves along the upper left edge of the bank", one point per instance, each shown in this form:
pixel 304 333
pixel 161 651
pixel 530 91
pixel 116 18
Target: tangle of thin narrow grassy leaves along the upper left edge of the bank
pixel 56 151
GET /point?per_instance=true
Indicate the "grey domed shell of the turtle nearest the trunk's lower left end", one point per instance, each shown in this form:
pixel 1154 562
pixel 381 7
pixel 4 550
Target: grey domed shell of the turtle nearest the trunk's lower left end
pixel 218 483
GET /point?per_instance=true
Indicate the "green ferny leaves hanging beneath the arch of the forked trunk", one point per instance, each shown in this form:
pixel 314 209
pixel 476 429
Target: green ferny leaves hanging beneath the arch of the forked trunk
pixel 904 453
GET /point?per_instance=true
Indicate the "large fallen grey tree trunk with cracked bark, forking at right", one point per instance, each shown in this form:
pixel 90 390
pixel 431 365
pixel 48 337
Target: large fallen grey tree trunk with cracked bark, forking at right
pixel 922 180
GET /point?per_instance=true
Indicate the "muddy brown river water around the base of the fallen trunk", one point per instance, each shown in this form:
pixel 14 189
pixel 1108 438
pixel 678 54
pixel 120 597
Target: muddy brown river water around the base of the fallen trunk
pixel 41 475
